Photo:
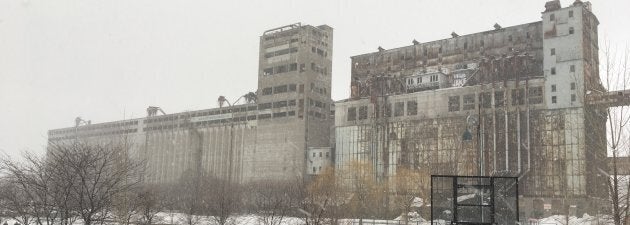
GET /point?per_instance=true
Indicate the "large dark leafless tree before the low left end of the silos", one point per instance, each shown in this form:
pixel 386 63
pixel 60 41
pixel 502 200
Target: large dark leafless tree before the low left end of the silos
pixel 99 173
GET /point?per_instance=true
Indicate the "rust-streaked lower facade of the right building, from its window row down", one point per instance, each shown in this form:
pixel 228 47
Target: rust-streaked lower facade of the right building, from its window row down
pixel 546 148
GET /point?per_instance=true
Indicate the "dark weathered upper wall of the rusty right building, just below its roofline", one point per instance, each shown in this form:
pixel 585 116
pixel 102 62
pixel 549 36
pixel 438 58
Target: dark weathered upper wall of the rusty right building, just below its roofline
pixel 449 56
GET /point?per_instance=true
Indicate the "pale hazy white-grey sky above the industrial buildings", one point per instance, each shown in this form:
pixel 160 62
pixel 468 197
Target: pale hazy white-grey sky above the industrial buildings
pixel 108 60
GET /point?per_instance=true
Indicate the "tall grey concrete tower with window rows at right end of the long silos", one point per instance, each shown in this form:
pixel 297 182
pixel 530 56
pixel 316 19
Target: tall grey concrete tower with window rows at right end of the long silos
pixel 294 103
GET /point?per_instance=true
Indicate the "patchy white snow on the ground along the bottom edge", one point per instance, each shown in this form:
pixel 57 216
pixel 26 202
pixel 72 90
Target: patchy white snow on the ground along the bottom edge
pixel 181 219
